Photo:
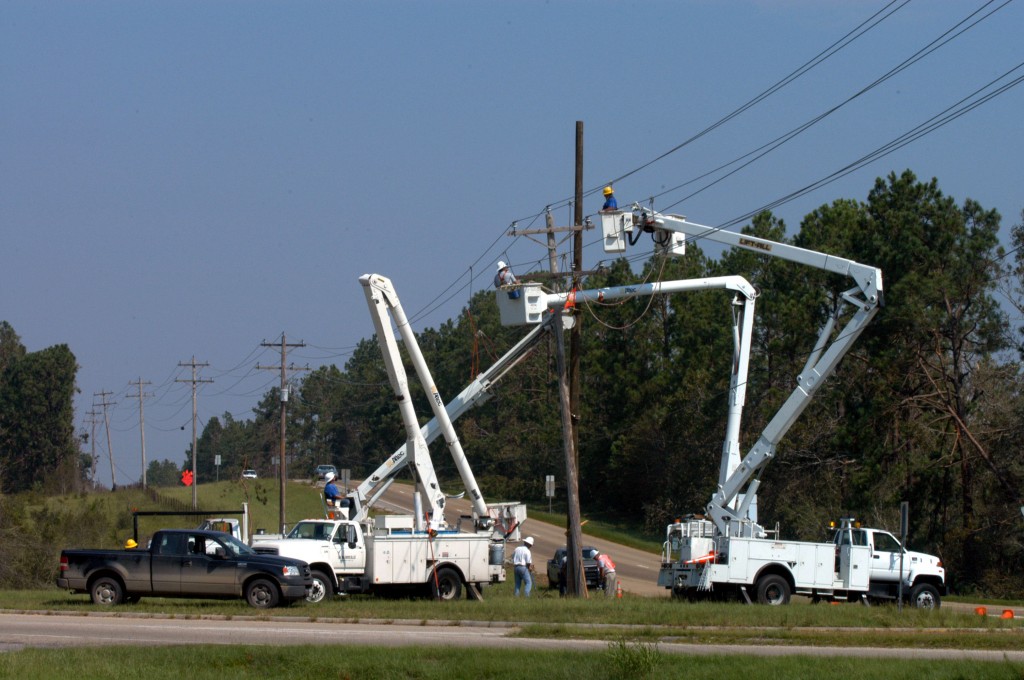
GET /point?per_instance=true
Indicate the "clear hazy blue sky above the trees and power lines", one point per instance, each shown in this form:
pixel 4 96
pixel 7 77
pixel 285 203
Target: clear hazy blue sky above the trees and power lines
pixel 194 179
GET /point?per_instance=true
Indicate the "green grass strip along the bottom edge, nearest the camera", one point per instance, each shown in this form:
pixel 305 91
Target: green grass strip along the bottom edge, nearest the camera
pixel 620 660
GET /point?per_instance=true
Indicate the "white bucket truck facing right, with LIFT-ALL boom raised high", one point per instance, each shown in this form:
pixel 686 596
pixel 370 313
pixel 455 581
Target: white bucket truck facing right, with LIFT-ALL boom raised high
pixel 728 550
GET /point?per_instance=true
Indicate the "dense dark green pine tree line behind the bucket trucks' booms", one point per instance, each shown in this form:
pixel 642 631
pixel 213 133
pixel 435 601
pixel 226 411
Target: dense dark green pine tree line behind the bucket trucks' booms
pixel 926 408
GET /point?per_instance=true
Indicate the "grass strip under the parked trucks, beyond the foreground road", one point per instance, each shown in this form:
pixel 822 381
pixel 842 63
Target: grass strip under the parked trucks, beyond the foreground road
pixel 546 615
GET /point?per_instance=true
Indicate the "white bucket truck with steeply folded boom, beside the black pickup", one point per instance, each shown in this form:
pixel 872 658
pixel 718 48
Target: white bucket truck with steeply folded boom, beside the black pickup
pixel 352 554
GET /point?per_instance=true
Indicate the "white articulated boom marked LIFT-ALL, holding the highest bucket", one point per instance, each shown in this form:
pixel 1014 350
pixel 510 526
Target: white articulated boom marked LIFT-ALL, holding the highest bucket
pixel 830 349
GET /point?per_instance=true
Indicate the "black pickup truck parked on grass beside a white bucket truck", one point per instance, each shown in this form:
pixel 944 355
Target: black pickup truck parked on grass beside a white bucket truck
pixel 186 564
